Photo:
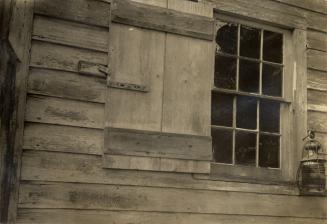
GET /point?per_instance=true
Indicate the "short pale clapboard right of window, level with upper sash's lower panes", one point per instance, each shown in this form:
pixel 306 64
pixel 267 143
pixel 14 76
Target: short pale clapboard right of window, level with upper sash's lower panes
pixel 317 80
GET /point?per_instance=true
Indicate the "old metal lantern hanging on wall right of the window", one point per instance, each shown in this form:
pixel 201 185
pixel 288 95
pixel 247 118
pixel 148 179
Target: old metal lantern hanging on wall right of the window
pixel 311 175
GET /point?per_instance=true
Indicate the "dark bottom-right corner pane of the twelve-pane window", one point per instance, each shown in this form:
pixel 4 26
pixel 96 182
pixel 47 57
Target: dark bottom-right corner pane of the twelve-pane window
pixel 269 151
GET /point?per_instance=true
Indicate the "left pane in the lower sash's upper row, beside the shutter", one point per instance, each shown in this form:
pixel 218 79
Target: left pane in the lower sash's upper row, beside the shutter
pixel 222 109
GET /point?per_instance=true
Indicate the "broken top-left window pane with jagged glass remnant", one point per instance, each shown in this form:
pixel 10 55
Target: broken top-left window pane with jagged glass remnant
pixel 226 38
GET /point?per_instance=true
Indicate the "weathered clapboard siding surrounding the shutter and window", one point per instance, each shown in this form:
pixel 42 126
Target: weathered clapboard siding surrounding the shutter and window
pixel 62 174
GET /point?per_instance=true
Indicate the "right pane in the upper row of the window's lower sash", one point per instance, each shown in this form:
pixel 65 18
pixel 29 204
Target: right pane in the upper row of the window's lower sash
pixel 269 116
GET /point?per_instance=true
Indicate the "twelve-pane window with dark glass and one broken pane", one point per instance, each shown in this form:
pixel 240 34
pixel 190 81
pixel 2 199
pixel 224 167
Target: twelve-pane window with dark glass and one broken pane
pixel 247 96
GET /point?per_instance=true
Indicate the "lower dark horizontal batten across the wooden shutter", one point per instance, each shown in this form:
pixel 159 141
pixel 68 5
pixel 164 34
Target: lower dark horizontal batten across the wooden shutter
pixel 157 144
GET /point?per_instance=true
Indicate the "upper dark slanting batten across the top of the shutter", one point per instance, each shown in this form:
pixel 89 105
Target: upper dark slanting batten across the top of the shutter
pixel 162 19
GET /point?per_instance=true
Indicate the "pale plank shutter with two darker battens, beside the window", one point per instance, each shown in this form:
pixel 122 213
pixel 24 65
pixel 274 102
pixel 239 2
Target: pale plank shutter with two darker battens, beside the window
pixel 158 101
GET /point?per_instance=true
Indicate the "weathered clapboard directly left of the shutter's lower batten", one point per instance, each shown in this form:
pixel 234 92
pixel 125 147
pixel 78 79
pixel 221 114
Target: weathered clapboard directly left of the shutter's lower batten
pixel 57 138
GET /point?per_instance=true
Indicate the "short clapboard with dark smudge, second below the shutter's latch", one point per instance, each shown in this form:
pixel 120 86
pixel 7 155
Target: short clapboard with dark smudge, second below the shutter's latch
pixel 51 110
